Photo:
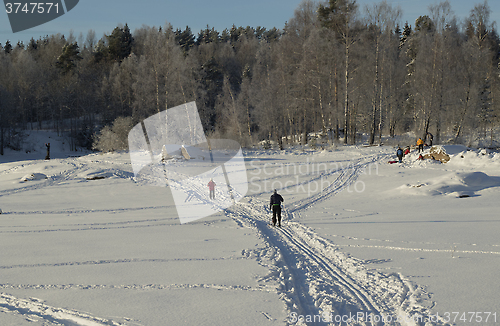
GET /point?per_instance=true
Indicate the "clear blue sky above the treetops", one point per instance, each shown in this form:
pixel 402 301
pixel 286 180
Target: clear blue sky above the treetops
pixel 104 15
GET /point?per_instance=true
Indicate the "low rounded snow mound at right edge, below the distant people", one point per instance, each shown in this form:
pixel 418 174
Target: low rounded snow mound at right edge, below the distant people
pixel 455 184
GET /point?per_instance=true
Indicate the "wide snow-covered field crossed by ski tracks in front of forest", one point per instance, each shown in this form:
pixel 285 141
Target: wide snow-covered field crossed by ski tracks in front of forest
pixel 363 242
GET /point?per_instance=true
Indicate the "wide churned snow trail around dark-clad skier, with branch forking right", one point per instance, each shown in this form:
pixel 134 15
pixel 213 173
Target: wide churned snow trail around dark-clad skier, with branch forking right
pixel 318 281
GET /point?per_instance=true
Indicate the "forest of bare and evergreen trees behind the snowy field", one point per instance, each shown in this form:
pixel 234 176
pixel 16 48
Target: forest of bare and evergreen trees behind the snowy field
pixel 333 68
